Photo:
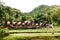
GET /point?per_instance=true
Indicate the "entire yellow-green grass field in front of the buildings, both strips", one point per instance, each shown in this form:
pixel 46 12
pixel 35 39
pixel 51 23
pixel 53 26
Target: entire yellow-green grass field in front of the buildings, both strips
pixel 34 34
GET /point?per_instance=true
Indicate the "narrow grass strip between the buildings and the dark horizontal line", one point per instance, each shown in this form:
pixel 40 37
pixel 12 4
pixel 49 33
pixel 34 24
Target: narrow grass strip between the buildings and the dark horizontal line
pixel 42 30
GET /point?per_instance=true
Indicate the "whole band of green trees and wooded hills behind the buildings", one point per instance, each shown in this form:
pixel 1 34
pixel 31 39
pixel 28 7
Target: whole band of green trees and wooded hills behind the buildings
pixel 44 13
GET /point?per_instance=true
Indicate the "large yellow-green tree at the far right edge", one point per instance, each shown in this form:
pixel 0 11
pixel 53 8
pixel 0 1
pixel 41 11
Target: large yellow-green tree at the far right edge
pixel 56 15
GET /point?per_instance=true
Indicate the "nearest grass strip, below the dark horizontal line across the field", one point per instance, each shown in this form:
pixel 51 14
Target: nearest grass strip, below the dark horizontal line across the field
pixel 33 36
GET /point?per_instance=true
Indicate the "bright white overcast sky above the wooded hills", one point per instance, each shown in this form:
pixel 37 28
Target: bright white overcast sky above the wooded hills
pixel 28 5
